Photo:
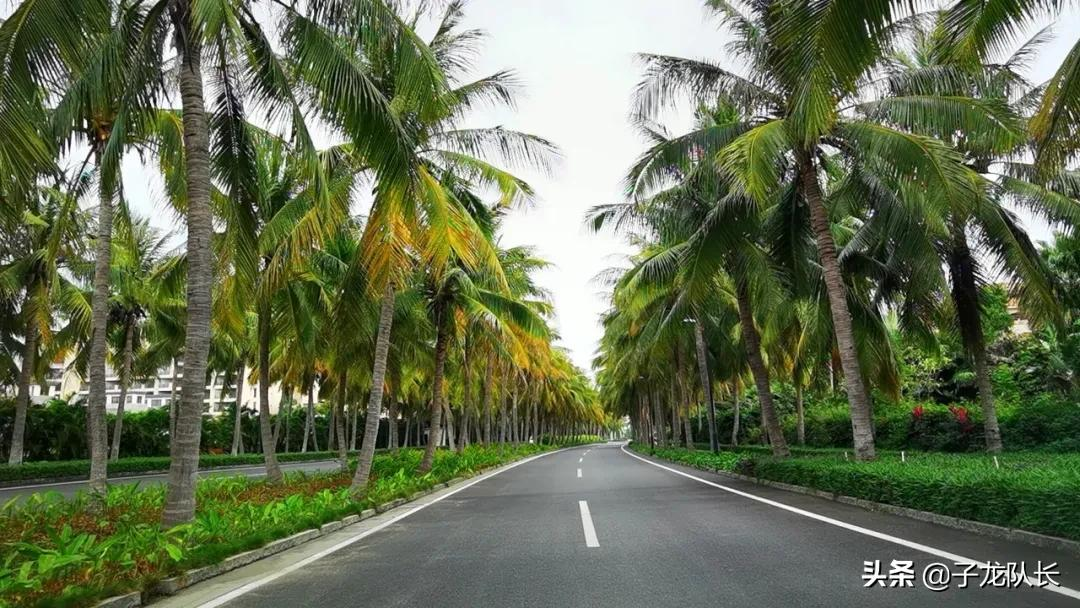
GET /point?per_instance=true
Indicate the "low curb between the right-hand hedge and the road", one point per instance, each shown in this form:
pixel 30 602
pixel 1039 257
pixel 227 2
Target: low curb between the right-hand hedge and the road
pixel 992 531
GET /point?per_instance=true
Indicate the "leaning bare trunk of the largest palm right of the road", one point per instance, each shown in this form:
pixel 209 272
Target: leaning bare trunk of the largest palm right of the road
pixel 862 427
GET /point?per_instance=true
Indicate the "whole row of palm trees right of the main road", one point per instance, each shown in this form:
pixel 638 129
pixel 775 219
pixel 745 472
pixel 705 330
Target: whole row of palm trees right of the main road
pixel 868 161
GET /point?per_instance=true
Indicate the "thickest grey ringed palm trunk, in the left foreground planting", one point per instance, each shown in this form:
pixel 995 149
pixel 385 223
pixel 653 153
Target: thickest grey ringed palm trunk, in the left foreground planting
pixel 184 448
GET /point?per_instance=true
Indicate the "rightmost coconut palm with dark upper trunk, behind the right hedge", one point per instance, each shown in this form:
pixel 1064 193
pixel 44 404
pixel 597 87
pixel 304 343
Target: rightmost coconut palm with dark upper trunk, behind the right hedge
pixel 969 237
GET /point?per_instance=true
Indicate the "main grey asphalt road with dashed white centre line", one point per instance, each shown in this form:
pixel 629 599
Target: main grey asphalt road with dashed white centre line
pixel 653 537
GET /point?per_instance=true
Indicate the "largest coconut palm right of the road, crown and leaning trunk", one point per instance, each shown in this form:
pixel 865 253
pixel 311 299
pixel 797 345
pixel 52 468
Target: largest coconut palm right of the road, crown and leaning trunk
pixel 806 66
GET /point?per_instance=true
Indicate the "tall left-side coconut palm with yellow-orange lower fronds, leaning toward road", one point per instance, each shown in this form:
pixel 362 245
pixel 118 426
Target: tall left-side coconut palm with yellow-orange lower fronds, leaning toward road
pixel 427 217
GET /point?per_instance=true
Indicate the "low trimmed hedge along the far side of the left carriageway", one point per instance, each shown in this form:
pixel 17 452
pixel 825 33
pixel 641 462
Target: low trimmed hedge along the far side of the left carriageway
pixel 64 469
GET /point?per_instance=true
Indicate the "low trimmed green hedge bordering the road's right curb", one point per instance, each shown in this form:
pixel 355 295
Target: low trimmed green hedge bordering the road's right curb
pixel 1031 492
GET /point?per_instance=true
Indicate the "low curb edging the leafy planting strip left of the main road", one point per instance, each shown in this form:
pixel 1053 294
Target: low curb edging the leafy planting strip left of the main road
pixel 174 585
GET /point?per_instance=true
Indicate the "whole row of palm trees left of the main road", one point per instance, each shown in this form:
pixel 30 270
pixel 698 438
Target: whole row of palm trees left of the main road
pixel 277 272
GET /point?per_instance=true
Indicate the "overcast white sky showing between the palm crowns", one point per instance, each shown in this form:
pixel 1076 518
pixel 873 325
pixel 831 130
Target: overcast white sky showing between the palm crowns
pixel 576 61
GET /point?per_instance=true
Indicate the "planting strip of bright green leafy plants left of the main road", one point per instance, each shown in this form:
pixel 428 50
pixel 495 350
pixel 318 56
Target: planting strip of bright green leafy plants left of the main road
pixel 75 552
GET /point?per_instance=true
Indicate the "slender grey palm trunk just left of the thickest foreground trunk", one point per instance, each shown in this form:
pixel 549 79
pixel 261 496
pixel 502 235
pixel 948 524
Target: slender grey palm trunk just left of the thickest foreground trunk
pixel 100 321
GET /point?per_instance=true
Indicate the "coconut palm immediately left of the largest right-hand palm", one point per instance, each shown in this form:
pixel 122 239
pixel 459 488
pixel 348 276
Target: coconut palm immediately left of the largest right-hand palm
pixel 715 244
